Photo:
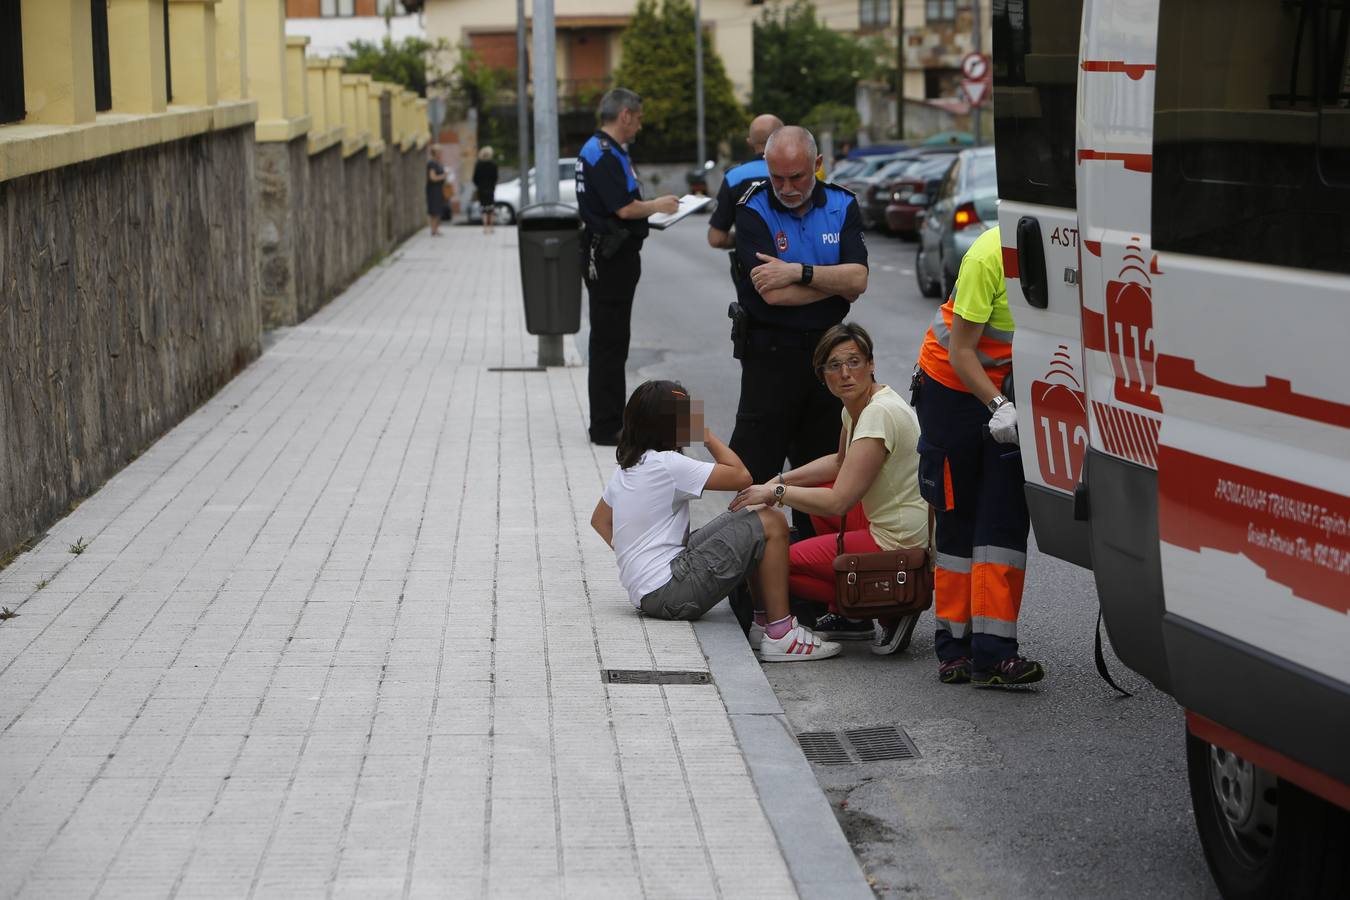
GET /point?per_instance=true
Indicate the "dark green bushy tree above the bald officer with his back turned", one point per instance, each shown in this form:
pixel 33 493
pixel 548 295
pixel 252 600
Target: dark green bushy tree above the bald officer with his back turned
pixel 803 65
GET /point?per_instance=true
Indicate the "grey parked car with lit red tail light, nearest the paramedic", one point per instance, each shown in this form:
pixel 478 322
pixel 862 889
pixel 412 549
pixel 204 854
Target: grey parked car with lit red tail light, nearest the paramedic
pixel 966 206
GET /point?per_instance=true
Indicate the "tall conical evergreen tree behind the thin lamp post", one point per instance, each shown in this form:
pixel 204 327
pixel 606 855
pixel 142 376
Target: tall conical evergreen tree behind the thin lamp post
pixel 659 65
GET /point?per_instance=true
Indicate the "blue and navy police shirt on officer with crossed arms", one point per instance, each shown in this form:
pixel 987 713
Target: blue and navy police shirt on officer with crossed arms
pixel 831 234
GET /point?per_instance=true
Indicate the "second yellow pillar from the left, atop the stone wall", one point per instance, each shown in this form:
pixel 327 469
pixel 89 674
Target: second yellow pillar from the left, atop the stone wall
pixel 137 56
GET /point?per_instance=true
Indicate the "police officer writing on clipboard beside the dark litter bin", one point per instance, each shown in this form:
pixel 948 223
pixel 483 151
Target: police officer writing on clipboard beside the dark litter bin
pixel 615 218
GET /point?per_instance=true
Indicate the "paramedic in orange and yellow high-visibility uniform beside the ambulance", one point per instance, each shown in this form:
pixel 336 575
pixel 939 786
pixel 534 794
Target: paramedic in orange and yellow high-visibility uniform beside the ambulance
pixel 971 473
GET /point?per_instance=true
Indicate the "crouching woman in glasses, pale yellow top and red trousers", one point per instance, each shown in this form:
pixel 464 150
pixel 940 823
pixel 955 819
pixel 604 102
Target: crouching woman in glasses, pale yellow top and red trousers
pixel 873 480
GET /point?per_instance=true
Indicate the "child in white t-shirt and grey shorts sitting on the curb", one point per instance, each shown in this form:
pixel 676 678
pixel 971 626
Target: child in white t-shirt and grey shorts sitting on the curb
pixel 670 573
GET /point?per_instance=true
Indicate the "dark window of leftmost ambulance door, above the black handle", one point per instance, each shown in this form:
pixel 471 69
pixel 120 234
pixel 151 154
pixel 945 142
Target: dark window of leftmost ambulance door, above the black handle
pixel 1036 56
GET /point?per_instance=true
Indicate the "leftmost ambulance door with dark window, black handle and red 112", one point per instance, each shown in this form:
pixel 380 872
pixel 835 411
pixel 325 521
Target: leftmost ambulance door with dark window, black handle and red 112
pixel 1036 47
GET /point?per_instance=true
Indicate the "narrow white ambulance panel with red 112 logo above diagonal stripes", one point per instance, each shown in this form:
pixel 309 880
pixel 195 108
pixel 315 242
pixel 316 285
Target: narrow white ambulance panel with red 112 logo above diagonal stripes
pixel 1118 273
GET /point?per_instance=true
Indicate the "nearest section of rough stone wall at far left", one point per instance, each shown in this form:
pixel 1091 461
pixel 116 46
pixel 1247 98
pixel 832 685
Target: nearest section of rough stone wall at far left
pixel 128 299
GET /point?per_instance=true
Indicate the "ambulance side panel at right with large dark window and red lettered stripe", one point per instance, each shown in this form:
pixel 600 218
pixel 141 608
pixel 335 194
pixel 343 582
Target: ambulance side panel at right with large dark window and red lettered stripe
pixel 1252 312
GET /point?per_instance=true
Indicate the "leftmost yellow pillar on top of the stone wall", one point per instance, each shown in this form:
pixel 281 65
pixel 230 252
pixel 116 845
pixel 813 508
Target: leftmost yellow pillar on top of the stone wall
pixel 57 64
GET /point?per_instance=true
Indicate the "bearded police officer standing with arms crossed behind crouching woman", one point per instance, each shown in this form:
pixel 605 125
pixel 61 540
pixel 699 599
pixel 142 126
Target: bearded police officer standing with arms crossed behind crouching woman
pixel 800 246
